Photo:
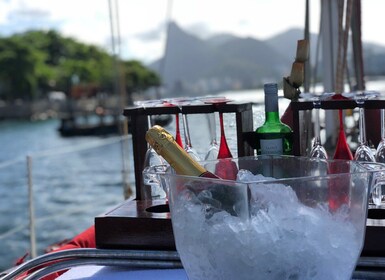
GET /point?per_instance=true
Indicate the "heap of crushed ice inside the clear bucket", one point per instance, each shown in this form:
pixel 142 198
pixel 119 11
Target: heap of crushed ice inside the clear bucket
pixel 283 239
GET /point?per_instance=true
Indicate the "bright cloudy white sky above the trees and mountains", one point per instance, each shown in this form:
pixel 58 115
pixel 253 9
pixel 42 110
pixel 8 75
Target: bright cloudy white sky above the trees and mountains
pixel 142 22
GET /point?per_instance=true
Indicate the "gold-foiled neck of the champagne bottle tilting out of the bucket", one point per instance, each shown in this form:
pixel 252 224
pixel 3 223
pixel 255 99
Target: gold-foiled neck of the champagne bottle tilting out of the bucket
pixel 166 146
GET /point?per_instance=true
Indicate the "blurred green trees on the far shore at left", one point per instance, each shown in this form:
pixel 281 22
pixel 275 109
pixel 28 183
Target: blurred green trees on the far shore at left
pixel 34 63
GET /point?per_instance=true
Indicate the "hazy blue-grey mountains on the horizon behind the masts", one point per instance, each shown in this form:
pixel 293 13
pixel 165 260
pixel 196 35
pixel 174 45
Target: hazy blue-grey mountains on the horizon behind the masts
pixel 225 62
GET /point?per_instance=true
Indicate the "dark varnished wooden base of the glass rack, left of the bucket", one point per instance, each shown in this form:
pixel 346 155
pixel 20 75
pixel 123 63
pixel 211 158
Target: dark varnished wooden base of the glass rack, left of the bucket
pixel 136 224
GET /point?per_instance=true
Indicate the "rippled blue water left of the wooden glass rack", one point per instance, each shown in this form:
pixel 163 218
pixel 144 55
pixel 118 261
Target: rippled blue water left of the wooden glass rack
pixel 74 180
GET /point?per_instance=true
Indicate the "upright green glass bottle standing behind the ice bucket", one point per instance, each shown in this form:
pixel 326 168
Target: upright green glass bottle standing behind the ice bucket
pixel 273 137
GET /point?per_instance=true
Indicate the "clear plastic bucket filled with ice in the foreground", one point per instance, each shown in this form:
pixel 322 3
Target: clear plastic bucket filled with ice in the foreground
pixel 287 218
